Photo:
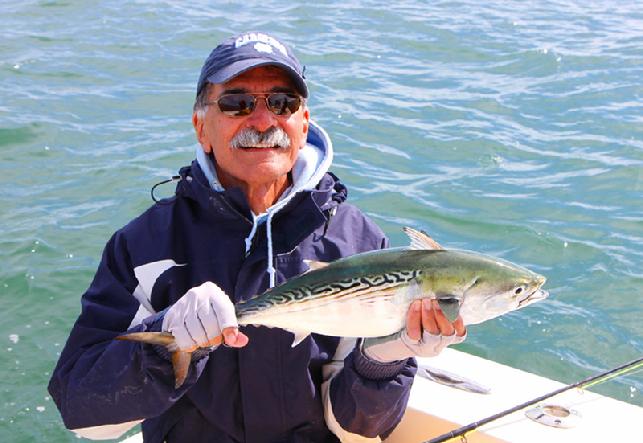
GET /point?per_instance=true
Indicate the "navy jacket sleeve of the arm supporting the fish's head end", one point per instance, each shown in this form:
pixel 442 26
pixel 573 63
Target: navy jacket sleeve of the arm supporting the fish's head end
pixel 364 400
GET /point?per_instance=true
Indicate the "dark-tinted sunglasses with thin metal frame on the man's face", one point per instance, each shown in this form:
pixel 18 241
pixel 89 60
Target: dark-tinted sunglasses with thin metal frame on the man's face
pixel 242 104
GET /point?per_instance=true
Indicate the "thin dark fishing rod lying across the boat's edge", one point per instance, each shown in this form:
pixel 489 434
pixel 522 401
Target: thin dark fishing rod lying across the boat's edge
pixel 611 373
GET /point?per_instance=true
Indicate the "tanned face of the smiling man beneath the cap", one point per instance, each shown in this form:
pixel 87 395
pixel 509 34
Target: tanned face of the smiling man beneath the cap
pixel 254 166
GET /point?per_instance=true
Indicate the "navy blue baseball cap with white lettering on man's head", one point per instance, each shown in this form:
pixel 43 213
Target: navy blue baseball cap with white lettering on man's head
pixel 238 54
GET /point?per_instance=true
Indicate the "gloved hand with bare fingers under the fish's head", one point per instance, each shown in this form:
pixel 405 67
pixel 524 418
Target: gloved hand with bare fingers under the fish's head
pixel 427 333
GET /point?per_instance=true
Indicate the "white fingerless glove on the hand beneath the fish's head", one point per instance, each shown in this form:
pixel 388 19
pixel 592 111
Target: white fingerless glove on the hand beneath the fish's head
pixel 400 346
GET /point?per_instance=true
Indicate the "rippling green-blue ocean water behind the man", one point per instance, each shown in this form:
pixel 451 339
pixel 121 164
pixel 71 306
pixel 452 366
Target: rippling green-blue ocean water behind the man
pixel 510 128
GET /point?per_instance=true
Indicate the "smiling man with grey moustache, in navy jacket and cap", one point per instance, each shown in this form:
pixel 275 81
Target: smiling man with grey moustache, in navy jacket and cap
pixel 255 204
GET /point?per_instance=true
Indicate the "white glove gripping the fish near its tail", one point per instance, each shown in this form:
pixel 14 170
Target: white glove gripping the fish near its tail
pixel 199 316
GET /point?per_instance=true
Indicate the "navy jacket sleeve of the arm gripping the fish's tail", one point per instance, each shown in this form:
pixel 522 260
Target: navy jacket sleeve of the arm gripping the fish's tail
pixel 101 386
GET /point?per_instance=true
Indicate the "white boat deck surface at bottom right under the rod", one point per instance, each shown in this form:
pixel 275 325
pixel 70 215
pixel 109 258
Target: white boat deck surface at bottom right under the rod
pixel 435 409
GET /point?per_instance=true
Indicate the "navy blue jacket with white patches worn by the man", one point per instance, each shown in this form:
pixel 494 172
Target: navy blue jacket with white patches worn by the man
pixel 264 392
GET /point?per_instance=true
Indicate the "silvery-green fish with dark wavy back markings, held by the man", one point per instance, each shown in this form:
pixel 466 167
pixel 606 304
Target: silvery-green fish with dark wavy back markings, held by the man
pixel 369 294
